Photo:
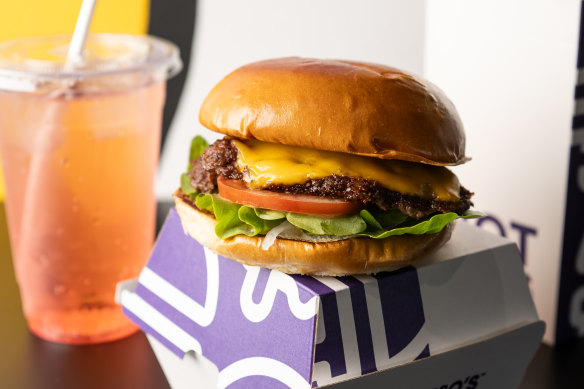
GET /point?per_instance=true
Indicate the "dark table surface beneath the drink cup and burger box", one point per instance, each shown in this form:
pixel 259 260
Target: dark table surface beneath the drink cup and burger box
pixel 27 362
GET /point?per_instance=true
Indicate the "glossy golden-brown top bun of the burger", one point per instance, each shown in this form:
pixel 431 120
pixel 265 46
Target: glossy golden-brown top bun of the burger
pixel 352 107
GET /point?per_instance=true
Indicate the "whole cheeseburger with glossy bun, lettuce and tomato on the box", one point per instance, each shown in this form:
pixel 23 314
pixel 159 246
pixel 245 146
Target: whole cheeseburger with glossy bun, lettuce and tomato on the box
pixel 327 167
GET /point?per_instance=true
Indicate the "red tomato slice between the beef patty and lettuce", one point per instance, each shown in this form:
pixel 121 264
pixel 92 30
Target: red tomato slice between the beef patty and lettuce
pixel 236 192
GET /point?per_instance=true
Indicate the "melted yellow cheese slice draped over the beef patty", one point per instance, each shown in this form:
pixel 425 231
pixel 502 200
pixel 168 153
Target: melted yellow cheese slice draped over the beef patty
pixel 268 163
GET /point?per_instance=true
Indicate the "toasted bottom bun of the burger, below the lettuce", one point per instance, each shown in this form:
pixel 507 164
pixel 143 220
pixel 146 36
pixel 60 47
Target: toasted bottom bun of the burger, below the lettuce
pixel 336 258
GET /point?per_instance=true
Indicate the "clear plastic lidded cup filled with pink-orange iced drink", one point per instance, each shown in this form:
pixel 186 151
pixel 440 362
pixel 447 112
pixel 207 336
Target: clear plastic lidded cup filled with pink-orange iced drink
pixel 79 153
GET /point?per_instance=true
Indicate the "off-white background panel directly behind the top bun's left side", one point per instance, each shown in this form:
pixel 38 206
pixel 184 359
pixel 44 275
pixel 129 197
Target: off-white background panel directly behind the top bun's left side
pixel 232 33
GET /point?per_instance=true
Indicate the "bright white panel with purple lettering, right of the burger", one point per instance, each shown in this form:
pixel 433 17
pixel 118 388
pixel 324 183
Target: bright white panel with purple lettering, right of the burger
pixel 510 68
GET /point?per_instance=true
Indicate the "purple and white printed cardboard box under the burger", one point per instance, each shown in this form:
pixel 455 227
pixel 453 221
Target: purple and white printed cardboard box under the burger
pixel 462 319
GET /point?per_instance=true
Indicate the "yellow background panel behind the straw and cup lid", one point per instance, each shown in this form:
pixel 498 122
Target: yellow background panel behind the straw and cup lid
pixel 23 18
